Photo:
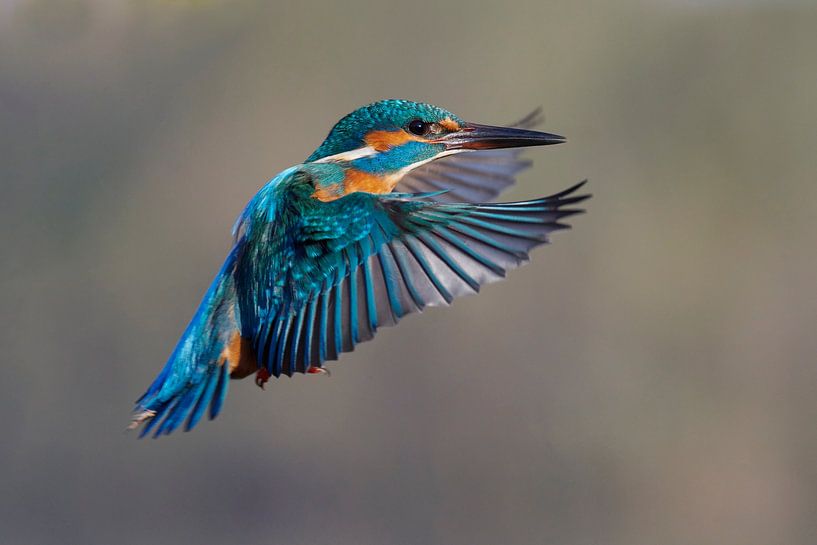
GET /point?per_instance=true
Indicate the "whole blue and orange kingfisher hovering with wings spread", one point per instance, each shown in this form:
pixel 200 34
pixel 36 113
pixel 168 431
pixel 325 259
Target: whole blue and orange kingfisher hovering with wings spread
pixel 391 214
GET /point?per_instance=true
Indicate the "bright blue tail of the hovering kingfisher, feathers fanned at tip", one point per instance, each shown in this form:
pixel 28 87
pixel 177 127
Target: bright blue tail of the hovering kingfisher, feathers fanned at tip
pixel 197 373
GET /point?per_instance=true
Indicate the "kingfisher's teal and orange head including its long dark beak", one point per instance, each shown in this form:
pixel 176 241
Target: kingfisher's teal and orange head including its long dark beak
pixel 379 143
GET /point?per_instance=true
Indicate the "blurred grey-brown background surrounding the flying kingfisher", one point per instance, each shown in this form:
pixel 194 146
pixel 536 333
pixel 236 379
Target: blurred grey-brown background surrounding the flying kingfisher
pixel 648 379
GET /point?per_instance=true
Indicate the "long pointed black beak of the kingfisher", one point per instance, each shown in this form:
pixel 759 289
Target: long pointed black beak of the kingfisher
pixel 474 137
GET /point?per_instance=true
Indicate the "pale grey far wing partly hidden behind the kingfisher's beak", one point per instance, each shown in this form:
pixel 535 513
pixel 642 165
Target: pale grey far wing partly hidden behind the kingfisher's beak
pixel 472 176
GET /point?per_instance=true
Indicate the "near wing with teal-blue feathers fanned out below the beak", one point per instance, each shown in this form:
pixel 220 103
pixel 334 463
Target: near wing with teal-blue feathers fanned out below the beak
pixel 406 253
